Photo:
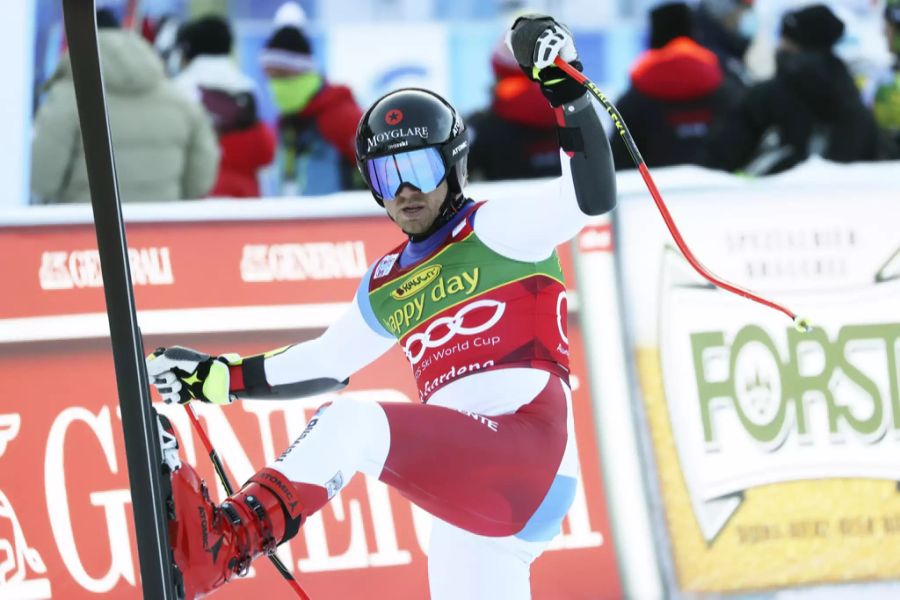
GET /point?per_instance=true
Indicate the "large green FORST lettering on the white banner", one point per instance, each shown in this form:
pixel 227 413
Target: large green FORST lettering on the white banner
pixel 770 394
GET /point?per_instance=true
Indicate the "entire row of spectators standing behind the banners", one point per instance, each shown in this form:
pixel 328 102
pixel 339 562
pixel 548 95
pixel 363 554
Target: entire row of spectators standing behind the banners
pixel 185 120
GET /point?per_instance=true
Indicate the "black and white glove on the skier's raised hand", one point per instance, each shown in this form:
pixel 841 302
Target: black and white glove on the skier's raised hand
pixel 535 41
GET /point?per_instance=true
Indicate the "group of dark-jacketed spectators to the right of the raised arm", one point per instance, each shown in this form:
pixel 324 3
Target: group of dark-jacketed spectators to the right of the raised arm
pixel 692 101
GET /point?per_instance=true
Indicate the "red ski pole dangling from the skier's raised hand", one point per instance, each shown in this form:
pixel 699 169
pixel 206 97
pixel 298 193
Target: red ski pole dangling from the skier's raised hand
pixel 800 323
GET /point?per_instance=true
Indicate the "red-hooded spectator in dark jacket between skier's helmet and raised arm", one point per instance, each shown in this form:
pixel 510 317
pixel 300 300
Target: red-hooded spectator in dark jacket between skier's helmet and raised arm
pixel 515 137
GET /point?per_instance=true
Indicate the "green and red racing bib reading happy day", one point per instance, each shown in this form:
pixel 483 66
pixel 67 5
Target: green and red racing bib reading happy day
pixel 466 308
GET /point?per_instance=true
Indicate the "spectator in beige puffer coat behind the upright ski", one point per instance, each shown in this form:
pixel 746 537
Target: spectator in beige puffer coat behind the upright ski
pixel 165 145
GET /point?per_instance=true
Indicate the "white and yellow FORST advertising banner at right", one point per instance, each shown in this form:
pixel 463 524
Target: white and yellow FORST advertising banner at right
pixel 776 451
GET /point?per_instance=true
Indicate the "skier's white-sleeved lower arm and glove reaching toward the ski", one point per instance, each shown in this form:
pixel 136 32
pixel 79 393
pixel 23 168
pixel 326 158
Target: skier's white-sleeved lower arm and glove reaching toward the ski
pixel 317 366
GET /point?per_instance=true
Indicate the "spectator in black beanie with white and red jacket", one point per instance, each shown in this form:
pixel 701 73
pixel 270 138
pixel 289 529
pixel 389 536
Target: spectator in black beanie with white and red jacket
pixel 211 78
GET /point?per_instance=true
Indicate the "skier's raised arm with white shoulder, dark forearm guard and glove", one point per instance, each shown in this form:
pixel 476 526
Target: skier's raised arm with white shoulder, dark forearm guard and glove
pixel 529 227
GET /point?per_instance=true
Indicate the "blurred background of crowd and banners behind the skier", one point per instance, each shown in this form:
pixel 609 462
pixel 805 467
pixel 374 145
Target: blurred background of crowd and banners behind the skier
pixel 723 453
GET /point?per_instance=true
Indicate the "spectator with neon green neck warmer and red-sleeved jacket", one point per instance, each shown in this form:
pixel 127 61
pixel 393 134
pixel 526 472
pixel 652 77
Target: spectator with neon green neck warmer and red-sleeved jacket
pixel 317 120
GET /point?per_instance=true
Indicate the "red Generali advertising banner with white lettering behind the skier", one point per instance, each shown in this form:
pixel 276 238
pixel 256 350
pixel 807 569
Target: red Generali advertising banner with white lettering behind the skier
pixel 242 286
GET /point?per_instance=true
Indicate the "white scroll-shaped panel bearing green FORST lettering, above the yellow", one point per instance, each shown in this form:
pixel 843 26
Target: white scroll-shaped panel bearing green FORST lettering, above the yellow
pixel 754 402
